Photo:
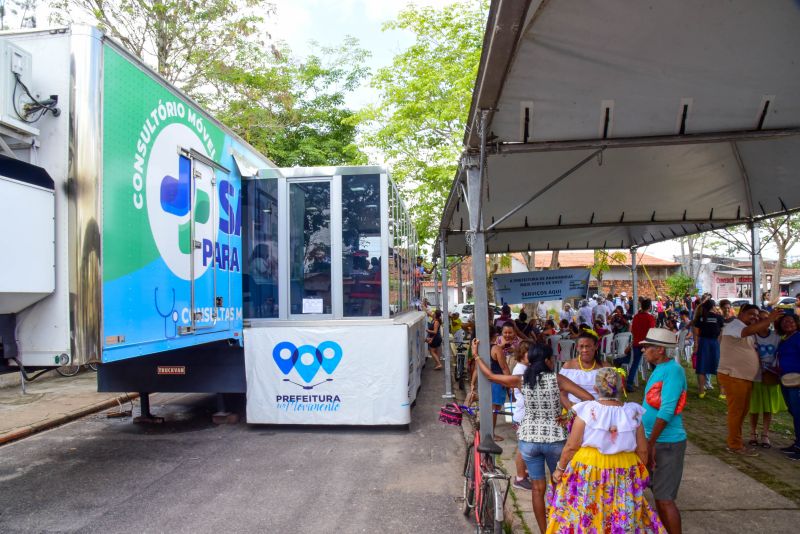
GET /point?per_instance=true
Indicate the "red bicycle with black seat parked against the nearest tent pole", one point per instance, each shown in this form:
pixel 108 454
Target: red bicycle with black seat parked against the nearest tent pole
pixel 483 483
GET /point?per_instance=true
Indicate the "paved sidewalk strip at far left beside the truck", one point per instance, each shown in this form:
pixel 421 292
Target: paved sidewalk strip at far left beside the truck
pixel 51 402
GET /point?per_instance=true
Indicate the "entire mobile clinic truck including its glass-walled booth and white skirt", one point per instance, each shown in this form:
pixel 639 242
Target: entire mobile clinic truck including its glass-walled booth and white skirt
pixel 125 214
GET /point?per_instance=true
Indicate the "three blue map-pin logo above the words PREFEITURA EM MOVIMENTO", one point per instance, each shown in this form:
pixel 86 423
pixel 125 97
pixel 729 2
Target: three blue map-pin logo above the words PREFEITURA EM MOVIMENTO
pixel 307 360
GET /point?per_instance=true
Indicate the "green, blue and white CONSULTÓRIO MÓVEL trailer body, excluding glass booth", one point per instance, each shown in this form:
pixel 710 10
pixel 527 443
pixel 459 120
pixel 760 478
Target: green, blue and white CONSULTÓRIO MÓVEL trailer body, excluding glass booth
pixel 120 201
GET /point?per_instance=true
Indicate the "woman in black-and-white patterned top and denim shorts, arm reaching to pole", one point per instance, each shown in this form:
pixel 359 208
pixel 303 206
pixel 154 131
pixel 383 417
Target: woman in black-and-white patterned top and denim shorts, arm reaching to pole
pixel 540 435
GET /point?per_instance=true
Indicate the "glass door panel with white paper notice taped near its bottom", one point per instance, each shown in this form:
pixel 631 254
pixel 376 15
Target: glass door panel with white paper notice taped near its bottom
pixel 310 251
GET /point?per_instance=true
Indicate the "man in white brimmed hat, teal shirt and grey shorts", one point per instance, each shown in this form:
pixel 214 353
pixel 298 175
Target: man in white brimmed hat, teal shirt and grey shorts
pixel 664 400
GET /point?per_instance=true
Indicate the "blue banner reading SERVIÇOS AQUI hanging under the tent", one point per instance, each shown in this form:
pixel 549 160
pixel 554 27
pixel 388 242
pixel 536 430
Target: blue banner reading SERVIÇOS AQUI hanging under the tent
pixel 519 288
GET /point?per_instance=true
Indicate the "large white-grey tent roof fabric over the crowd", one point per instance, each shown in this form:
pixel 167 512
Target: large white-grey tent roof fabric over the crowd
pixel 632 122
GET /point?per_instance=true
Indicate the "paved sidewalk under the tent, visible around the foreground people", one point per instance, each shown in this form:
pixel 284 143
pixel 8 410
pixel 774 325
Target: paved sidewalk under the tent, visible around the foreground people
pixel 714 496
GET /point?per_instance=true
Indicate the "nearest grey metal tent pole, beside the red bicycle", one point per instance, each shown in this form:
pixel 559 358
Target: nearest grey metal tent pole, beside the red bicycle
pixel 476 173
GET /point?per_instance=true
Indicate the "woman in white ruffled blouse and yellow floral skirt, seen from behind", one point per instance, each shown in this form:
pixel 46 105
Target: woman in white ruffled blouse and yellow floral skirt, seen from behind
pixel 601 475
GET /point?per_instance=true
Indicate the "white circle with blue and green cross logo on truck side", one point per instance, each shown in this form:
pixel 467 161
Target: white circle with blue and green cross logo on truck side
pixel 169 188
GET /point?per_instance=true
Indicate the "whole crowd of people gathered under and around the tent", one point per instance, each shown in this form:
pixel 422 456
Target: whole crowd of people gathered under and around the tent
pixel 601 451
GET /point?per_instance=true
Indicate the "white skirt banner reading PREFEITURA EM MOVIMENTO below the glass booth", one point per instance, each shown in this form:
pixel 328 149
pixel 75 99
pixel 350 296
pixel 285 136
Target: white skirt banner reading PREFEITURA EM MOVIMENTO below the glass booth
pixel 320 375
